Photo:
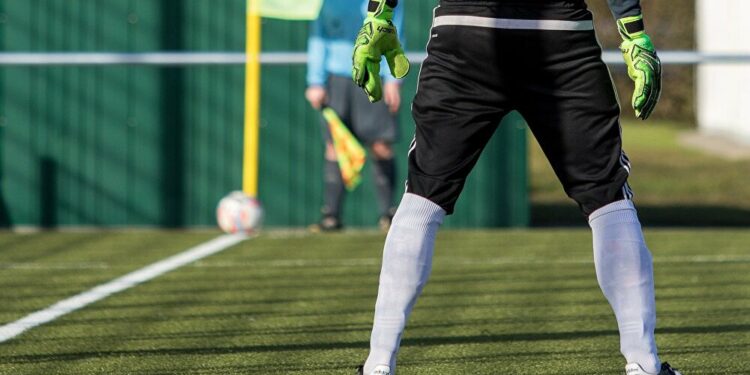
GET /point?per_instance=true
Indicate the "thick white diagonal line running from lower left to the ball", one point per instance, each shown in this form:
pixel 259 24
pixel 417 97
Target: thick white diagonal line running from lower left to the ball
pixel 130 280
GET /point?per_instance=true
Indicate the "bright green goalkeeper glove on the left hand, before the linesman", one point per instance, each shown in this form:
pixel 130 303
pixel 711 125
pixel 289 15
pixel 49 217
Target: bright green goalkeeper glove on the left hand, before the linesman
pixel 376 38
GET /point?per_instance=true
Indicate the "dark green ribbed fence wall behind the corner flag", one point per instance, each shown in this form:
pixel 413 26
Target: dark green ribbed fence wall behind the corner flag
pixel 144 145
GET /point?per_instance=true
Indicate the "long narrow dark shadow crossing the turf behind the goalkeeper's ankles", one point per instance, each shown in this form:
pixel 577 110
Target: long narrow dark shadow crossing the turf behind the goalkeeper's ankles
pixel 419 341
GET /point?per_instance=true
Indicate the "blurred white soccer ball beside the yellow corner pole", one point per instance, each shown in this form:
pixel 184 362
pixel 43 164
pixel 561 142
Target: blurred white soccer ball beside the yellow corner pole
pixel 239 213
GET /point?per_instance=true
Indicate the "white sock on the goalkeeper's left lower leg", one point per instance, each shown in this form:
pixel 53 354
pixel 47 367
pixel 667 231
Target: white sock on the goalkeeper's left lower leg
pixel 407 261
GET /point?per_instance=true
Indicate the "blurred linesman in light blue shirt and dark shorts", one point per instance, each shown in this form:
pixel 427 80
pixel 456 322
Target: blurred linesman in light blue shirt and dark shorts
pixel 329 83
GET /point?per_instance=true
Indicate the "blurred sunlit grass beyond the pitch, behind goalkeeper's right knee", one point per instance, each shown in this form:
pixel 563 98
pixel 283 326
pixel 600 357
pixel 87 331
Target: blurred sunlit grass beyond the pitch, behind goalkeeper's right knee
pixel 674 185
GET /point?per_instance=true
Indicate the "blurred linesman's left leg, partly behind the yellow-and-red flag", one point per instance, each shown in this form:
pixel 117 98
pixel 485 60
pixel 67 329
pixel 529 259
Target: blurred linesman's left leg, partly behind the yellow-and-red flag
pixel 333 188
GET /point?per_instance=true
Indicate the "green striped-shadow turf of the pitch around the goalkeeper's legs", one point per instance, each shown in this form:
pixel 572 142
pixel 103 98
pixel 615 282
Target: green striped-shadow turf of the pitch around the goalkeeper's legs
pixel 499 302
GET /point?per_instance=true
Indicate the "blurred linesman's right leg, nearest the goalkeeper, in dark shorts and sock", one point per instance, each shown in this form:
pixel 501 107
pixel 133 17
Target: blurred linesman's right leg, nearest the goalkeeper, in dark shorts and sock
pixel 375 126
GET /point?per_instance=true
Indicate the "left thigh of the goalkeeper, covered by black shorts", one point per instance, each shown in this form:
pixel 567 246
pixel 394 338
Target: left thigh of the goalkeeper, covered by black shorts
pixel 461 98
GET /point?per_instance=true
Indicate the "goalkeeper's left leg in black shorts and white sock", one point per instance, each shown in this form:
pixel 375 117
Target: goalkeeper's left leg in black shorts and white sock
pixel 457 108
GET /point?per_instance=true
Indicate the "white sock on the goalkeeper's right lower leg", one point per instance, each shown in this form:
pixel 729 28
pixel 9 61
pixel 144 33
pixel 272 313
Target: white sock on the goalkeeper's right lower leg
pixel 625 272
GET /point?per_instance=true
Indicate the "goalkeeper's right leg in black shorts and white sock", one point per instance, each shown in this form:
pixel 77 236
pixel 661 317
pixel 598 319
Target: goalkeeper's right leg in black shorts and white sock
pixel 570 105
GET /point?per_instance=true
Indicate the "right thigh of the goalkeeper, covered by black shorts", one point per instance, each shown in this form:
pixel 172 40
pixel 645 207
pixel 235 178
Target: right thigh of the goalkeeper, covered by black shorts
pixel 567 97
